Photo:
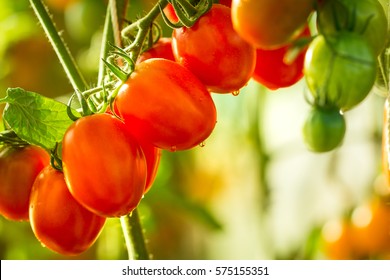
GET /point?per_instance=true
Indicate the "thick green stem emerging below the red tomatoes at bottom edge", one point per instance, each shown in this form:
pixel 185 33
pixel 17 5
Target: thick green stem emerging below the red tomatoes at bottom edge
pixel 134 237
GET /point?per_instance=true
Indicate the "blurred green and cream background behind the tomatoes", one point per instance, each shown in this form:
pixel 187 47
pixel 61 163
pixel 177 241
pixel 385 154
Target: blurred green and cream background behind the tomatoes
pixel 253 191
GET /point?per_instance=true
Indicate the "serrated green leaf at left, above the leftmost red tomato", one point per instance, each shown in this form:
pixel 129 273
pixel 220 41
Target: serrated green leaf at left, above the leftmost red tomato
pixel 36 119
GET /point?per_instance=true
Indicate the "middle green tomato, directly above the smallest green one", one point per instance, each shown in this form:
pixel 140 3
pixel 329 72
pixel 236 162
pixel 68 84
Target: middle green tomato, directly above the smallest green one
pixel 340 69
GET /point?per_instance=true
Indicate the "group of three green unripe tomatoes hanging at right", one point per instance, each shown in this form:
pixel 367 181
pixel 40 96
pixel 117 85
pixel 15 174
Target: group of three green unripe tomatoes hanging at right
pixel 341 66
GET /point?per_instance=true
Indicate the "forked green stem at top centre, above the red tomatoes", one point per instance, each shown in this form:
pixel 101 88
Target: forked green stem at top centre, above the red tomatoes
pixel 143 26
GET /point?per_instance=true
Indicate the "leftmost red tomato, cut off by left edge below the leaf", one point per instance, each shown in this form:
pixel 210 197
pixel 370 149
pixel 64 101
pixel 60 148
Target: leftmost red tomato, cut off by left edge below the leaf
pixel 18 169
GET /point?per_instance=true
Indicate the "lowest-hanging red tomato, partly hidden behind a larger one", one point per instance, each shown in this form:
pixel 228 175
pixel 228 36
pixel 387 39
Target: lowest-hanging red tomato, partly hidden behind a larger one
pixel 58 221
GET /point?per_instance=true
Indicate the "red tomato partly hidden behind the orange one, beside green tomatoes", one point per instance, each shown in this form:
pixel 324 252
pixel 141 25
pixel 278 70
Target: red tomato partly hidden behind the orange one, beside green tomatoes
pixel 273 71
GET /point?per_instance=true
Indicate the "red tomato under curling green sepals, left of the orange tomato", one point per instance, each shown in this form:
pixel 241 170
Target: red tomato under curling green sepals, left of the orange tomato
pixel 214 52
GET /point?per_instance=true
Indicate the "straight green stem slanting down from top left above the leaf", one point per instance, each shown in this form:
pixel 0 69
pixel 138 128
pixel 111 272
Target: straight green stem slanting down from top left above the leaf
pixel 63 53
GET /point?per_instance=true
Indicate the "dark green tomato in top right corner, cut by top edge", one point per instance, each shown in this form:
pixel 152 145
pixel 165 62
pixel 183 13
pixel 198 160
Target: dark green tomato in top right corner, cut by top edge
pixel 365 17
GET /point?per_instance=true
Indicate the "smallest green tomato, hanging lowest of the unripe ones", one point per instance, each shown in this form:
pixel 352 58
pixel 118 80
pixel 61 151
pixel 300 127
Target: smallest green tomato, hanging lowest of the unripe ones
pixel 324 129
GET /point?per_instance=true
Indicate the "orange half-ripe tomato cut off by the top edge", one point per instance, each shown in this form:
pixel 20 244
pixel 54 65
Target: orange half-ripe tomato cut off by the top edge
pixel 269 24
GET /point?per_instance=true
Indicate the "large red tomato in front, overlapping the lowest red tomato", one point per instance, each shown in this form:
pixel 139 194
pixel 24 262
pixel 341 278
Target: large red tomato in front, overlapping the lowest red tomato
pixel 104 167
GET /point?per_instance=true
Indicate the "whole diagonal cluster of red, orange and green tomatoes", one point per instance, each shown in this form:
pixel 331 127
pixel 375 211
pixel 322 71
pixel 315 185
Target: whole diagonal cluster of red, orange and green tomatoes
pixel 109 160
